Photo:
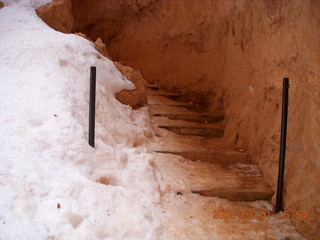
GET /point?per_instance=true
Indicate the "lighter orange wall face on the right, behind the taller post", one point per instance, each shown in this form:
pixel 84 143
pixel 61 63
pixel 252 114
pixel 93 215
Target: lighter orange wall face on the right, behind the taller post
pixel 269 40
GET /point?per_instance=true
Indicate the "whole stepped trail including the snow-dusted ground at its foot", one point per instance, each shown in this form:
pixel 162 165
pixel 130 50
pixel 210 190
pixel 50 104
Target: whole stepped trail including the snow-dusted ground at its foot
pixel 209 189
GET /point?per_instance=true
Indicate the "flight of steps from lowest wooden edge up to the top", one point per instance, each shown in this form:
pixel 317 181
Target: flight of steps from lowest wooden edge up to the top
pixel 194 152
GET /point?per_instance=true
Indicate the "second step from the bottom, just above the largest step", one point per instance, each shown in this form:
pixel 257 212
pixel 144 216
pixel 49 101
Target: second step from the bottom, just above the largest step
pixel 195 151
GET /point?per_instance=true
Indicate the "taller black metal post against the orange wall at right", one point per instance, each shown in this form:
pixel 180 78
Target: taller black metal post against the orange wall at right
pixel 282 143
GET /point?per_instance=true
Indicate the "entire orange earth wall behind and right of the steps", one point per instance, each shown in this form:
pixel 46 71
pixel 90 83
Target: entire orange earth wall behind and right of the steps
pixel 231 55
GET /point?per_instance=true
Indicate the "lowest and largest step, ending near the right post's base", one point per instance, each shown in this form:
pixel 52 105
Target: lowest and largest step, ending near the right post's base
pixel 235 182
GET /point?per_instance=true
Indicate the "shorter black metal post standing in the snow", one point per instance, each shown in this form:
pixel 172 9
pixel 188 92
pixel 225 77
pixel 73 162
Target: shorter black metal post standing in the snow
pixel 92 103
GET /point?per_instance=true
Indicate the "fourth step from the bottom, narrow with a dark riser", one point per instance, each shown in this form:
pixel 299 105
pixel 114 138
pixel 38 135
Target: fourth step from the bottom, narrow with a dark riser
pixel 178 113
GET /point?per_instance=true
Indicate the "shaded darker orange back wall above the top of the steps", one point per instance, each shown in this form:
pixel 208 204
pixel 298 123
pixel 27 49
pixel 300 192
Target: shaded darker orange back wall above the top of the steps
pixel 174 42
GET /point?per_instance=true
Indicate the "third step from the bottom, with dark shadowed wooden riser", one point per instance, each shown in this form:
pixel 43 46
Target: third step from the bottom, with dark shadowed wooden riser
pixel 189 128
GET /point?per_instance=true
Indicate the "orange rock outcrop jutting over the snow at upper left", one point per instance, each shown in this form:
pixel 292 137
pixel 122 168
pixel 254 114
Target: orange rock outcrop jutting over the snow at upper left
pixel 57 15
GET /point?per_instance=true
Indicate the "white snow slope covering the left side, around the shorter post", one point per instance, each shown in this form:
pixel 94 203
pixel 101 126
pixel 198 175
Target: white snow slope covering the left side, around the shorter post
pixel 48 172
